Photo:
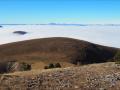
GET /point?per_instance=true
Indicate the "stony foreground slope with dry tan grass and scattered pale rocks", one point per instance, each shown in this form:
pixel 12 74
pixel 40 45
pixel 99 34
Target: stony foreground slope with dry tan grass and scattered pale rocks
pixel 104 76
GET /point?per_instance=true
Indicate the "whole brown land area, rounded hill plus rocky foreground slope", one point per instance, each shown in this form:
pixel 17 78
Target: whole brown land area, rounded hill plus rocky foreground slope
pixel 76 58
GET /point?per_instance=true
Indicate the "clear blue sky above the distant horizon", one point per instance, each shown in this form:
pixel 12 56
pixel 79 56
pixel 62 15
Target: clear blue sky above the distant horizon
pixel 60 11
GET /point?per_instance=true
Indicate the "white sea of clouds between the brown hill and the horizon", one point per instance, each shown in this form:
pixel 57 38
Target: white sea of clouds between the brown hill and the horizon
pixel 104 35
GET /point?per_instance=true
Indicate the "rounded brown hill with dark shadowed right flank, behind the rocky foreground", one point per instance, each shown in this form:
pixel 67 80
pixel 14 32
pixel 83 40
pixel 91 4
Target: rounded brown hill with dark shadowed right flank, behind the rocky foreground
pixel 66 51
